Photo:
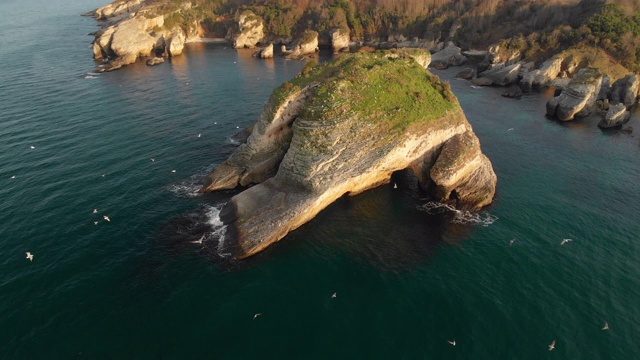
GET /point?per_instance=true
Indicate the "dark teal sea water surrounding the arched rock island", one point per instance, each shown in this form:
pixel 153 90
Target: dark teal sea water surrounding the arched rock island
pixel 409 275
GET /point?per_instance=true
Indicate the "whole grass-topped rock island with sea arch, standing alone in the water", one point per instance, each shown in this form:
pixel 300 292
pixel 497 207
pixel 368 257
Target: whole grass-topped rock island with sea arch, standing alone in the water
pixel 340 129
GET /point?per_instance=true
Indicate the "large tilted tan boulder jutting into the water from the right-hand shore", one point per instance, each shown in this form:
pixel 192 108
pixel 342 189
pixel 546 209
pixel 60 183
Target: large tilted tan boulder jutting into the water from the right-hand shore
pixel 578 98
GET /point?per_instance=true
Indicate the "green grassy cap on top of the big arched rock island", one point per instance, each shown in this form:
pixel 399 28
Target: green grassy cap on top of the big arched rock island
pixel 386 91
